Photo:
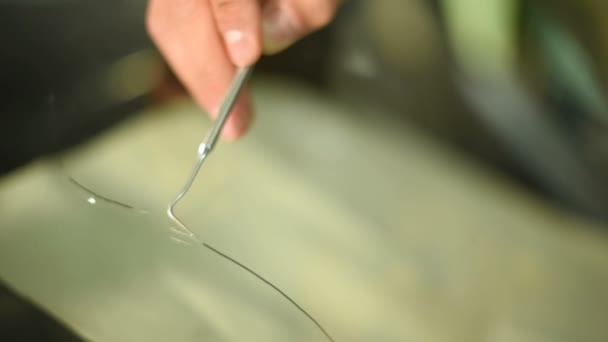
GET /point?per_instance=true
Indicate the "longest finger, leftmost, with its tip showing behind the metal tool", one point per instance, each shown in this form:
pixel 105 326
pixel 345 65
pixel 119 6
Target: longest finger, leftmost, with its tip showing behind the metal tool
pixel 185 31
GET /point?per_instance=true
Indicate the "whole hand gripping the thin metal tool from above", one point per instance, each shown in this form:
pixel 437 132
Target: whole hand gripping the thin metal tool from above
pixel 205 40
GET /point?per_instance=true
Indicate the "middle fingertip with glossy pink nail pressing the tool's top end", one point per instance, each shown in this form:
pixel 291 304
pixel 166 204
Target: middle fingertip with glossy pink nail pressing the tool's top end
pixel 239 23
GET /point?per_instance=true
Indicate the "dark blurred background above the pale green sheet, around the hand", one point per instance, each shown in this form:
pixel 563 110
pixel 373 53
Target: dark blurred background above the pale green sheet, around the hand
pixel 519 86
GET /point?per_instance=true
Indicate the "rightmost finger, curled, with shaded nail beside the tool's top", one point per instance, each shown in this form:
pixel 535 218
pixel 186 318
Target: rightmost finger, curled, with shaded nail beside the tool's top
pixel 286 21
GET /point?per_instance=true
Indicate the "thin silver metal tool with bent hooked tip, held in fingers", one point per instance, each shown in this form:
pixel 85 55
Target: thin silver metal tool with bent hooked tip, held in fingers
pixel 209 142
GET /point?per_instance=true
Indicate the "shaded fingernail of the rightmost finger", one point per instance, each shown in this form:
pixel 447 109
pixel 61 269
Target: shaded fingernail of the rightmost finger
pixel 279 29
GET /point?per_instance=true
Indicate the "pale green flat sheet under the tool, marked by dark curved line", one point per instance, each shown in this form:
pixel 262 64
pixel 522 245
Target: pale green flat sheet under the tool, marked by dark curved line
pixel 376 231
